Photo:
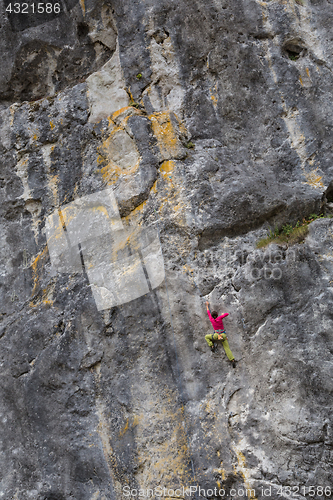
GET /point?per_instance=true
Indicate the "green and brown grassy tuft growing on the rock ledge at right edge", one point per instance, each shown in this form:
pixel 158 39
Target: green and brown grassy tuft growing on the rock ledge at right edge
pixel 289 234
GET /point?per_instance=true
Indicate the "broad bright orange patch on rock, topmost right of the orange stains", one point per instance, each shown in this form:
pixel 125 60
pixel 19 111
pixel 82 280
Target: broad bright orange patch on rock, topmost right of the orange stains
pixel 166 135
